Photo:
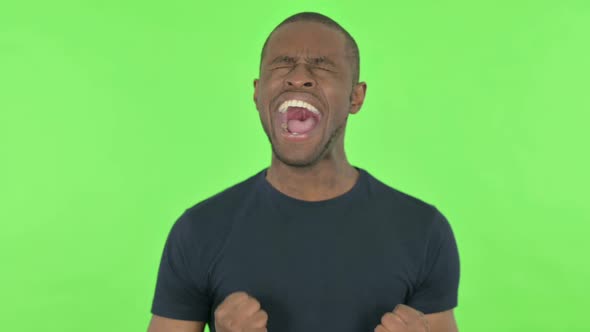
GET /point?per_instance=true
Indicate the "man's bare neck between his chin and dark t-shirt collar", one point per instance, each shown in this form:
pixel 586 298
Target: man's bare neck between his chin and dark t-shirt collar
pixel 317 183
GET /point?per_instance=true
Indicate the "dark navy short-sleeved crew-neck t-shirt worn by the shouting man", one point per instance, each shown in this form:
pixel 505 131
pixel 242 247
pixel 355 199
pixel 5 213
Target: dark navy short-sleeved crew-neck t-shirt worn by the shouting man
pixel 332 265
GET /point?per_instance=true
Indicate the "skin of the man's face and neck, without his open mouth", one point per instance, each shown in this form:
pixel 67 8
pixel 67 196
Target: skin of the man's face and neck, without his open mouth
pixel 318 68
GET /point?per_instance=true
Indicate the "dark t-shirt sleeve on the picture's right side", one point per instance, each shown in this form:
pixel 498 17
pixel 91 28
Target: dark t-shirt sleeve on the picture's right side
pixel 438 284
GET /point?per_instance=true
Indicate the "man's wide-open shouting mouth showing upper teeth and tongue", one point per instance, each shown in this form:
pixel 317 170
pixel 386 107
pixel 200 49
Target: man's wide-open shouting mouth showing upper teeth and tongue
pixel 298 118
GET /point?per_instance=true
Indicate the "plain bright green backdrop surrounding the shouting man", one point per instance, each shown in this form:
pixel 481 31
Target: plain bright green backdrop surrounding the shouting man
pixel 115 116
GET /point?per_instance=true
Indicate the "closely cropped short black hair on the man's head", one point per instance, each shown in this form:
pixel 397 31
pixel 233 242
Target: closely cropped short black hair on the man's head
pixel 323 19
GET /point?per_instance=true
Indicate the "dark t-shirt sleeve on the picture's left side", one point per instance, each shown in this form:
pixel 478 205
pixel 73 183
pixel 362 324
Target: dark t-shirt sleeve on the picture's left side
pixel 180 292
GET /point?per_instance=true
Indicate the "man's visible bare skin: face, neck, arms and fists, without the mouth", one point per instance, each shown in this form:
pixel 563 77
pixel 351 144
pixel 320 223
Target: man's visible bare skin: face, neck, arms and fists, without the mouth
pixel 311 170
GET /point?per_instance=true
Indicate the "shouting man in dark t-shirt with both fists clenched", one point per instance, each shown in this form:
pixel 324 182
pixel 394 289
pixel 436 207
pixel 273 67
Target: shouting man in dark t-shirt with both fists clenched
pixel 311 243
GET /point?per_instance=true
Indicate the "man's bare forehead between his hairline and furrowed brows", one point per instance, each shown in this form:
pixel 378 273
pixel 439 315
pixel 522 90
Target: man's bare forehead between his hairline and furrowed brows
pixel 306 39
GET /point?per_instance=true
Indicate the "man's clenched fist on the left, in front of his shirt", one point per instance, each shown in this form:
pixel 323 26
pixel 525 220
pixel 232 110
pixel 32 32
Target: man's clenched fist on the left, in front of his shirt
pixel 240 312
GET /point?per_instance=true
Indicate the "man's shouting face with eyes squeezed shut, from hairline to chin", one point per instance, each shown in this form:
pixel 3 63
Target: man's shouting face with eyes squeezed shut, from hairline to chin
pixel 309 62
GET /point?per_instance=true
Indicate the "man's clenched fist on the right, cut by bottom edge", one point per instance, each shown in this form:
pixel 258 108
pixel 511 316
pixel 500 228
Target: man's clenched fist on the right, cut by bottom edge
pixel 403 319
